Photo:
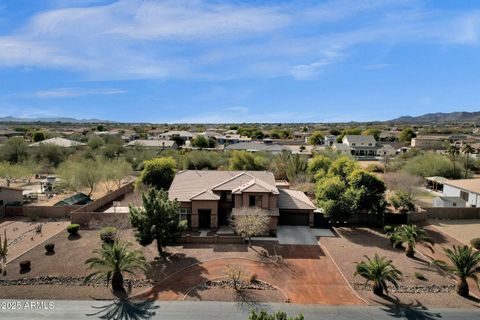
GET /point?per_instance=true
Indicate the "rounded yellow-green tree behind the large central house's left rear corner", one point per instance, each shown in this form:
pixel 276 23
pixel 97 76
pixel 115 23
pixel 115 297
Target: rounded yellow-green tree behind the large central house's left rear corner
pixel 159 172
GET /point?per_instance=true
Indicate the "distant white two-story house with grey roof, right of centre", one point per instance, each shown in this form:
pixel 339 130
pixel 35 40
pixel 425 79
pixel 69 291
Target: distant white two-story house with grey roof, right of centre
pixel 361 146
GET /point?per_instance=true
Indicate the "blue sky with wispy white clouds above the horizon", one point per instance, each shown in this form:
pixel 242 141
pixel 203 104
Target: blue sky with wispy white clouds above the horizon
pixel 238 61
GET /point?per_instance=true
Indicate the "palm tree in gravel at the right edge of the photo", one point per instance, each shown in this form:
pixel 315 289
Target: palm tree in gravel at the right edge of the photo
pixel 466 264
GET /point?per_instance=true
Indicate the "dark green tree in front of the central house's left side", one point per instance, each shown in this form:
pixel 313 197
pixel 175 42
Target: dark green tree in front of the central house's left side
pixel 156 220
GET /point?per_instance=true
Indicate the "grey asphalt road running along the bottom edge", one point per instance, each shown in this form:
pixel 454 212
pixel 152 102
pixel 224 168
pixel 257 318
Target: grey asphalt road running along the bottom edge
pixel 183 310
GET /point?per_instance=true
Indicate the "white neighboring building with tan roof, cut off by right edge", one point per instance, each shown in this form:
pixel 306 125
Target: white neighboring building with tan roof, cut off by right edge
pixel 452 190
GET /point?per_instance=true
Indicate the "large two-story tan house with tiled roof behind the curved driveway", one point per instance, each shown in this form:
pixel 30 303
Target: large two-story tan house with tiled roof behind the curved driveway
pixel 208 199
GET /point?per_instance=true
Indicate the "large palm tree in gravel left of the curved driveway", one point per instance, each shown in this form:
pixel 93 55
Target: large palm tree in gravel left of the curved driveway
pixel 111 260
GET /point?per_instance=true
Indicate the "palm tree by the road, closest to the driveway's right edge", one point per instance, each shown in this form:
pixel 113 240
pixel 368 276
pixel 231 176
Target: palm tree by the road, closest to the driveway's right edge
pixel 378 270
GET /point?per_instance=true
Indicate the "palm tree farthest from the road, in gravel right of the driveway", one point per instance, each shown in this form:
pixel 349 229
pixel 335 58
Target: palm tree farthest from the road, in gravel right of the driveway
pixel 411 235
